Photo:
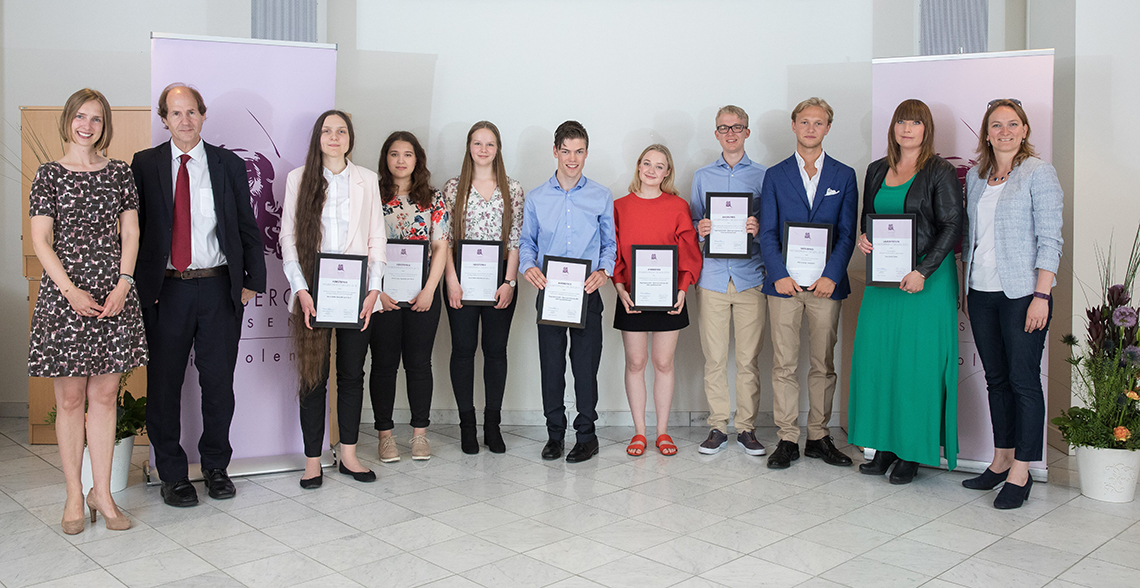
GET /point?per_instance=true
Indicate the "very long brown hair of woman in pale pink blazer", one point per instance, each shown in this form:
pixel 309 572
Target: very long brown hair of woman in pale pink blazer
pixel 313 345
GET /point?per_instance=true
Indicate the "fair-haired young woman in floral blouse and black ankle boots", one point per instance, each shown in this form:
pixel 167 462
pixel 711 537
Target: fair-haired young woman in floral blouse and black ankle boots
pixel 482 213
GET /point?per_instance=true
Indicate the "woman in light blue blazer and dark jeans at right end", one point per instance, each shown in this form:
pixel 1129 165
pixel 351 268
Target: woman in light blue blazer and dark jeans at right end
pixel 1012 252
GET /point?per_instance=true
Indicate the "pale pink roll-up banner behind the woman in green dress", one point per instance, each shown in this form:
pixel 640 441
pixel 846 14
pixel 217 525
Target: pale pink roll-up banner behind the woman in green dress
pixel 958 89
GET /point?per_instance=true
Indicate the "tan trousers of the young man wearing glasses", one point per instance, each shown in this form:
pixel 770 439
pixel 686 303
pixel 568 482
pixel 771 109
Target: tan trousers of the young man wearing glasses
pixel 746 312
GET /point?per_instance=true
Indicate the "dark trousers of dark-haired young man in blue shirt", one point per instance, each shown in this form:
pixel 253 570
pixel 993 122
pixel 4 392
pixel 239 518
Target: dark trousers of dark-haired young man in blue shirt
pixel 585 358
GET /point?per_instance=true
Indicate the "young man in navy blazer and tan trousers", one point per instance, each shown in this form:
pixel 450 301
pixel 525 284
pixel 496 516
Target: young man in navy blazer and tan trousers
pixel 807 189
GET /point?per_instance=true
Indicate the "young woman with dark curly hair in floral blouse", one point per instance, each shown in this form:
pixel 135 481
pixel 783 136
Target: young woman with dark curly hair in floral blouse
pixel 413 210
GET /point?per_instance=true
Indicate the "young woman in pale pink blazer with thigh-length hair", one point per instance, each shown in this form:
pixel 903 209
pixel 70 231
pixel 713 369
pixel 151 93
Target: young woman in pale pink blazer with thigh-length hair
pixel 332 206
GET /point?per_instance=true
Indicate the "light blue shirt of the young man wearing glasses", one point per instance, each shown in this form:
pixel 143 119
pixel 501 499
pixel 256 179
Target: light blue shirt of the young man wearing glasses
pixel 745 177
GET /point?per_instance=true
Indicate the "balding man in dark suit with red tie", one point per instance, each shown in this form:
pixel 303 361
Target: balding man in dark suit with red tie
pixel 200 262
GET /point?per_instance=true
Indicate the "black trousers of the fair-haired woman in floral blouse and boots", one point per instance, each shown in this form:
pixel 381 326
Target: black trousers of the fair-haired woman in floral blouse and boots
pixel 465 324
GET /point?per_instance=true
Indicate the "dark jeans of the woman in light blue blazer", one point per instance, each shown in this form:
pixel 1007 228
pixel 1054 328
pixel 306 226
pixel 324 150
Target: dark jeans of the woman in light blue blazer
pixel 1012 360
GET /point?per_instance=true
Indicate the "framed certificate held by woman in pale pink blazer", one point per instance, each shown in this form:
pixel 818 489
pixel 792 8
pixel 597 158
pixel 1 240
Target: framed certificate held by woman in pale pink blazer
pixel 339 291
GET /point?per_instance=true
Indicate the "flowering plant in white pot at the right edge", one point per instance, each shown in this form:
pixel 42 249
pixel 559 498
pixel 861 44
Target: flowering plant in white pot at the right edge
pixel 1106 429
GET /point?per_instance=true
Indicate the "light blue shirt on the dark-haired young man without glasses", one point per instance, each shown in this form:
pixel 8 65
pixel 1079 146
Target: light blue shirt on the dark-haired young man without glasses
pixel 576 224
